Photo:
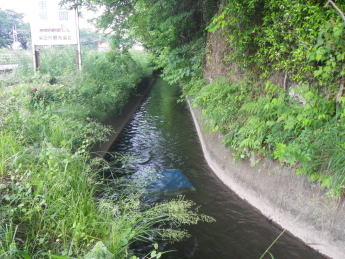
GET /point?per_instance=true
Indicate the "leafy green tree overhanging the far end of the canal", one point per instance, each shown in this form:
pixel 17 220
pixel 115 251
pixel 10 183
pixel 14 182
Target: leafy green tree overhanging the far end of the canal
pixel 173 30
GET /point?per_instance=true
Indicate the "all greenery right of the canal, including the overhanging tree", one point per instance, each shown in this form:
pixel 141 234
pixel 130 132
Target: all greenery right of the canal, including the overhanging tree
pixel 300 39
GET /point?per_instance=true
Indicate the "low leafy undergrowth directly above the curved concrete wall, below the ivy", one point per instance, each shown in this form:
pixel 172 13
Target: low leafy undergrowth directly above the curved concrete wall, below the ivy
pixel 271 123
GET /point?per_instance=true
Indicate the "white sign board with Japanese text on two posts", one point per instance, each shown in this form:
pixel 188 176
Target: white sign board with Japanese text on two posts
pixel 52 24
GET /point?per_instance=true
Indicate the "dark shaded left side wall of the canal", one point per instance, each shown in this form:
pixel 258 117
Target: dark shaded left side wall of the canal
pixel 118 122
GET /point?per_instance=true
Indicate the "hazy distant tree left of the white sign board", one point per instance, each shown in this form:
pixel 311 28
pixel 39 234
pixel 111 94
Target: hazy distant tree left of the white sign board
pixel 8 19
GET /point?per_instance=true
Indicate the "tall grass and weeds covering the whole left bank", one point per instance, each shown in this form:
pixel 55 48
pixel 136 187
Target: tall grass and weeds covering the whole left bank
pixel 55 202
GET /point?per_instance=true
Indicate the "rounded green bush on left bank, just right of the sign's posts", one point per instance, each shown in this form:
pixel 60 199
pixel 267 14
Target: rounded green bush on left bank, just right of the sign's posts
pixel 107 92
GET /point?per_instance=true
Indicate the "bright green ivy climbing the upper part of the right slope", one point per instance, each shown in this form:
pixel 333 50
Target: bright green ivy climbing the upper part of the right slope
pixel 303 38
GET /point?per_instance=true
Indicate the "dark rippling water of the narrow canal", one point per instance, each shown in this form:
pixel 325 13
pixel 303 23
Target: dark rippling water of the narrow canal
pixel 161 135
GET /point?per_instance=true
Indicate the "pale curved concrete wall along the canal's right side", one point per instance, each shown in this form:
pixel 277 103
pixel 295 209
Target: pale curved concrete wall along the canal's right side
pixel 288 199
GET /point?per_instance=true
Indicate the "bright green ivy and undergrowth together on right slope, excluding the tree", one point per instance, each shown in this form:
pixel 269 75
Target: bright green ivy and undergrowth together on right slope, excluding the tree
pixel 301 126
